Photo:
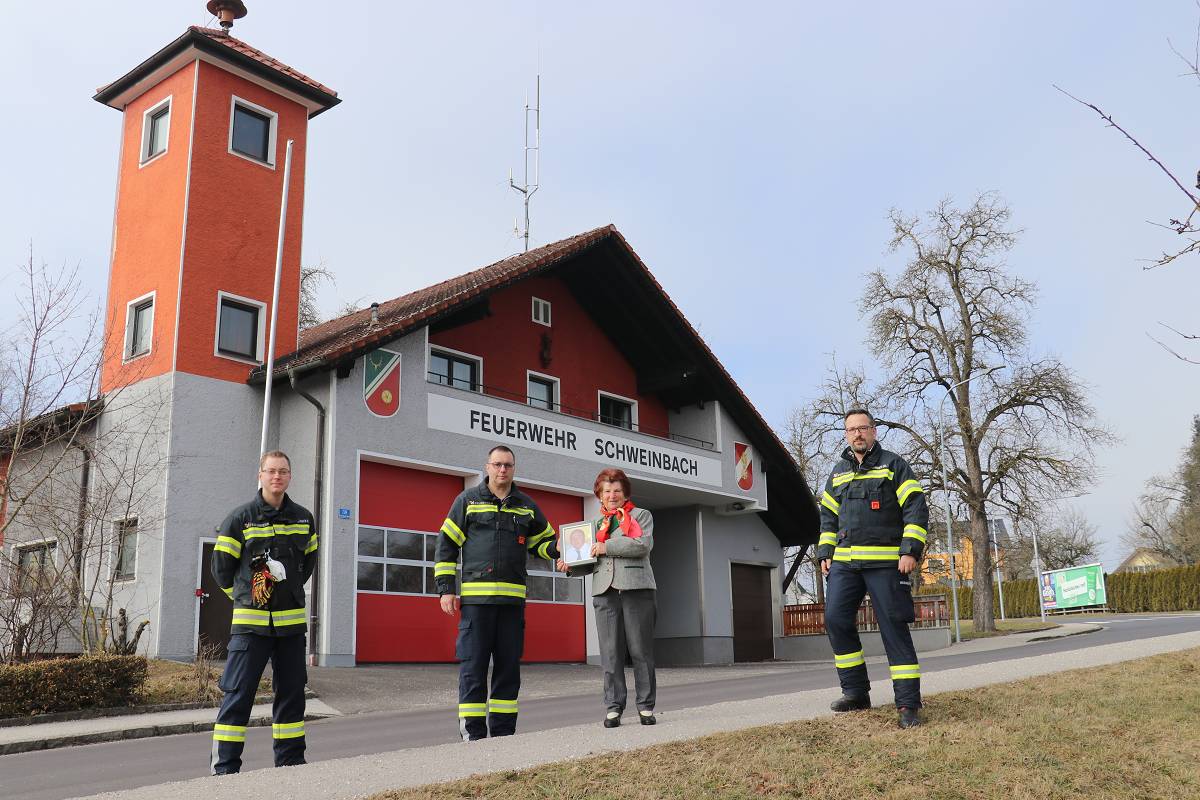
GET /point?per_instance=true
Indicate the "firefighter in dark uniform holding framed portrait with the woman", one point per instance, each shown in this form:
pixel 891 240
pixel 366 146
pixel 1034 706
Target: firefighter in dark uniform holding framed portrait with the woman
pixel 494 527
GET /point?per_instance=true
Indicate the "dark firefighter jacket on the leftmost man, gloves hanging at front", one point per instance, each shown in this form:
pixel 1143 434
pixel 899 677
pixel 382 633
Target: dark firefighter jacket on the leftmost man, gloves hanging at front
pixel 289 536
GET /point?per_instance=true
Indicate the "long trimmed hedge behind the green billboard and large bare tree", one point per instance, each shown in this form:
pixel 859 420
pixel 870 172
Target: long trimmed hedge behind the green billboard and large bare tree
pixel 1174 590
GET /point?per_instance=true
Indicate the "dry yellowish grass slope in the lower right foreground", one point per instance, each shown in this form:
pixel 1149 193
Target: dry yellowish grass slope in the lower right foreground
pixel 1125 732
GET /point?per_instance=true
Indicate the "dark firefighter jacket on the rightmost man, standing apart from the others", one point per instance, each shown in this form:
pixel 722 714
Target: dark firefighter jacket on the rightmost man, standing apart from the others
pixel 872 514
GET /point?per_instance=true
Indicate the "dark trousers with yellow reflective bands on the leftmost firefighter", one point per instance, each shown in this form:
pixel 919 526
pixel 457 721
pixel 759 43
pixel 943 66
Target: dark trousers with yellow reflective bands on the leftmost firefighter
pixel 249 654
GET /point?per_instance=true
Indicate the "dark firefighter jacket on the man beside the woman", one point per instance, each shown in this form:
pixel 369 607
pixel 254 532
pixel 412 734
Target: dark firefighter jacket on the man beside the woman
pixel 494 538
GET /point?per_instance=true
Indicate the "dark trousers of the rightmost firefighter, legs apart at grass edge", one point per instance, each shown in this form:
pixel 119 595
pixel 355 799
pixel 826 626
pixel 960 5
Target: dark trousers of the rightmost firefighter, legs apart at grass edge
pixel 848 585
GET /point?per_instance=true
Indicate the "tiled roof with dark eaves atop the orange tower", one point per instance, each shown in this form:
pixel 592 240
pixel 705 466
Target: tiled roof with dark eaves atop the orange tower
pixel 194 46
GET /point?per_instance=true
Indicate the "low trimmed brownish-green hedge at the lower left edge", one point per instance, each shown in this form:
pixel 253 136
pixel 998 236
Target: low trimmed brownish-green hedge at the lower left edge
pixel 70 684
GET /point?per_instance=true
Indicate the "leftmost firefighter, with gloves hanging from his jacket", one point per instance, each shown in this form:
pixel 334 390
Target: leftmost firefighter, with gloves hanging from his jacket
pixel 266 552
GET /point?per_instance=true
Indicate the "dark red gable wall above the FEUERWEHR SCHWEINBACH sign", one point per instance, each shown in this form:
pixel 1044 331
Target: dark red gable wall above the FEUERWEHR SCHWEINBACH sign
pixel 583 357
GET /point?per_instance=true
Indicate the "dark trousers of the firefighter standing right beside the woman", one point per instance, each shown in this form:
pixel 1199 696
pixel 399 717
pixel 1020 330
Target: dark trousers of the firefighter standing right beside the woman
pixel 489 635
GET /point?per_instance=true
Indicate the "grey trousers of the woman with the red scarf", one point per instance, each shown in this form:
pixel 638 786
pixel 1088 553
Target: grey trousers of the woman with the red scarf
pixel 626 624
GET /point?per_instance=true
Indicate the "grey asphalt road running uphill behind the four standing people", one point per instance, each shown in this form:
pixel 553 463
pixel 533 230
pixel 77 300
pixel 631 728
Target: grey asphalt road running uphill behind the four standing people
pixel 57 774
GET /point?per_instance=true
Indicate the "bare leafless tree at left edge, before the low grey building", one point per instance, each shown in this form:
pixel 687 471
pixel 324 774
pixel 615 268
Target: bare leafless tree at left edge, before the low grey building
pixel 68 472
